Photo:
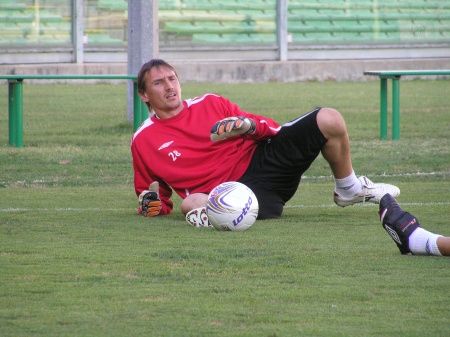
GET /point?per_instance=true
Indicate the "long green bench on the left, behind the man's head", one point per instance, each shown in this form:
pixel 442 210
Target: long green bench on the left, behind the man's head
pixel 15 100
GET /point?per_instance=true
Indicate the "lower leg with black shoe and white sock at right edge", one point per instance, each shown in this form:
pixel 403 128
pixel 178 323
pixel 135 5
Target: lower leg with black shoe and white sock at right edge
pixel 404 228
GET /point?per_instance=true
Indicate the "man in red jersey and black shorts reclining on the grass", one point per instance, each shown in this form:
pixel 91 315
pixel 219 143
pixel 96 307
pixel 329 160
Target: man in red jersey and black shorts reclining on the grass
pixel 192 146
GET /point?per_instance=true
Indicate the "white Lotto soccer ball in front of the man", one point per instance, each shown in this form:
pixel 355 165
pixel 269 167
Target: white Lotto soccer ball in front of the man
pixel 232 206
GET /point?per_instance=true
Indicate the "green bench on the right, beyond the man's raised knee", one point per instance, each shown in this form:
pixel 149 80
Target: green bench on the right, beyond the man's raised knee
pixel 394 76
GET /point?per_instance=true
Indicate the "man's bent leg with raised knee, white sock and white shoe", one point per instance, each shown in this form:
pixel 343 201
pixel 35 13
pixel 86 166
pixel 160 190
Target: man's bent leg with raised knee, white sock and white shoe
pixel 349 188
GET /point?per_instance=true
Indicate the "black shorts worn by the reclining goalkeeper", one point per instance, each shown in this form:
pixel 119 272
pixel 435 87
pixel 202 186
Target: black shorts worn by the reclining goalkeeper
pixel 279 162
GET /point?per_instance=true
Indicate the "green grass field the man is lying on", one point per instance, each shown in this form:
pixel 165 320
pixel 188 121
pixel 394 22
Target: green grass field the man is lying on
pixel 75 259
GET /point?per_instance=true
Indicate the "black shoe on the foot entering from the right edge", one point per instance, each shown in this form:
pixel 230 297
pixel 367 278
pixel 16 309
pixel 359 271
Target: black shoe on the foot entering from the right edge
pixel 397 223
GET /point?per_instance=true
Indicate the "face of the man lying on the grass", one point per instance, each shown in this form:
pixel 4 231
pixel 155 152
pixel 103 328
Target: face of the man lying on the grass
pixel 163 92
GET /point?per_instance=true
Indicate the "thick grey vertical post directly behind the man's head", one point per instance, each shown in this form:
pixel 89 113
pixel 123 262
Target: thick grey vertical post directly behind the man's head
pixel 143 40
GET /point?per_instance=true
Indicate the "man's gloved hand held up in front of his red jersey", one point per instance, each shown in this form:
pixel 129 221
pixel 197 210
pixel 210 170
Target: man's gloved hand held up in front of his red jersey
pixel 231 127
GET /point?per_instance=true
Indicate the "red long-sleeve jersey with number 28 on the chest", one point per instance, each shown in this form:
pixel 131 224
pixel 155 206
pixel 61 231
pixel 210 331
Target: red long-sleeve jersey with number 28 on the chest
pixel 178 152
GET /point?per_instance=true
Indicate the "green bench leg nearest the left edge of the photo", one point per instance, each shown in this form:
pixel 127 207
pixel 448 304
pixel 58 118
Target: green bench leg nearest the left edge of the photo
pixel 15 112
